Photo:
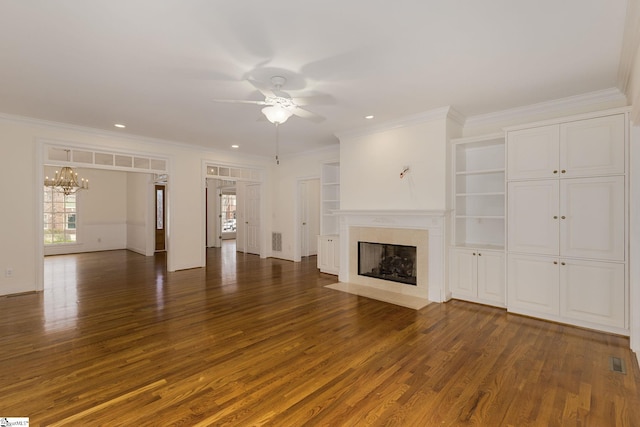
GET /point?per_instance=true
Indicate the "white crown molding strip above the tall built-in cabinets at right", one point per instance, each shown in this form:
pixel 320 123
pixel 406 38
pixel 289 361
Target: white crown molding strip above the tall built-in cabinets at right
pixel 555 106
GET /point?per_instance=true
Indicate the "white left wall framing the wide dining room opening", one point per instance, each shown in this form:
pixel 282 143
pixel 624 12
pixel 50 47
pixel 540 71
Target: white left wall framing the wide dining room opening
pixel 20 163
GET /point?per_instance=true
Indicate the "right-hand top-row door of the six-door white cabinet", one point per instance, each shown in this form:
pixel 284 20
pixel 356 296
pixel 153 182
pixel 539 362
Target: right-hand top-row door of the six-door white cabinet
pixel 592 147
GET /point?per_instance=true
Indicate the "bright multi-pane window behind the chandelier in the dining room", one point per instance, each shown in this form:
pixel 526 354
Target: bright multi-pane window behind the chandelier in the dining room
pixel 60 215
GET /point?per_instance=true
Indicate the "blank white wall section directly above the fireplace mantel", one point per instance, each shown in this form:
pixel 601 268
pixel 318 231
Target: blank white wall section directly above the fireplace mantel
pixel 370 167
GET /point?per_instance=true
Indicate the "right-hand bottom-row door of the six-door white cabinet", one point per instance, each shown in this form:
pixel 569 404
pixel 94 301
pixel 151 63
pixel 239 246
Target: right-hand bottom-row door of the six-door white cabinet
pixel 593 292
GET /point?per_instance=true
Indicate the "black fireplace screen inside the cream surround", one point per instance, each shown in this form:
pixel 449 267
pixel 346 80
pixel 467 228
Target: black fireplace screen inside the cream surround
pixel 387 262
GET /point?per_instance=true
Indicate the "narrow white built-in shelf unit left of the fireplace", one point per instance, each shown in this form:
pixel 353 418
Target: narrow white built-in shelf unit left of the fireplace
pixel 328 241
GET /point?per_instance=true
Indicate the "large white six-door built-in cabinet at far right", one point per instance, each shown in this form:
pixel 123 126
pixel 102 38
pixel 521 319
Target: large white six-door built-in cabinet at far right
pixel 567 221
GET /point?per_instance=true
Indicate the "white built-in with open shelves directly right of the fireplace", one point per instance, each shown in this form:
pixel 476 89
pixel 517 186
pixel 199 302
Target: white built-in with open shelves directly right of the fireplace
pixel 477 261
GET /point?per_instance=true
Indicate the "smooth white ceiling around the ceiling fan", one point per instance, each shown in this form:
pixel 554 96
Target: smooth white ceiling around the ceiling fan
pixel 157 65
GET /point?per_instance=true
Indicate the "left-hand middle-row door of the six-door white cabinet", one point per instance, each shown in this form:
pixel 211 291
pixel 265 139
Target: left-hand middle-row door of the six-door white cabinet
pixel 532 217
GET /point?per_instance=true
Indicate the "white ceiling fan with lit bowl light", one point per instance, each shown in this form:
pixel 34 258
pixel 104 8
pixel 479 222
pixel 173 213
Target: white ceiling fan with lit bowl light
pixel 278 105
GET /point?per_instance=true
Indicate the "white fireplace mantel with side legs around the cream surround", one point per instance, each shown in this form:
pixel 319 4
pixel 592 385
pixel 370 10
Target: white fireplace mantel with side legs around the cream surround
pixel 431 220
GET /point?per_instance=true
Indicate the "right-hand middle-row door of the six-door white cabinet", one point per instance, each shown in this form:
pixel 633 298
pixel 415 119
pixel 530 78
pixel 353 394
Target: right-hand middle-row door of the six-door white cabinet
pixel 592 220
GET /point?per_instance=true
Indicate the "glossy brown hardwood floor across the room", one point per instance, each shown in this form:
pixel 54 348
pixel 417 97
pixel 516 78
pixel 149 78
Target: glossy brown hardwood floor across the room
pixel 115 340
